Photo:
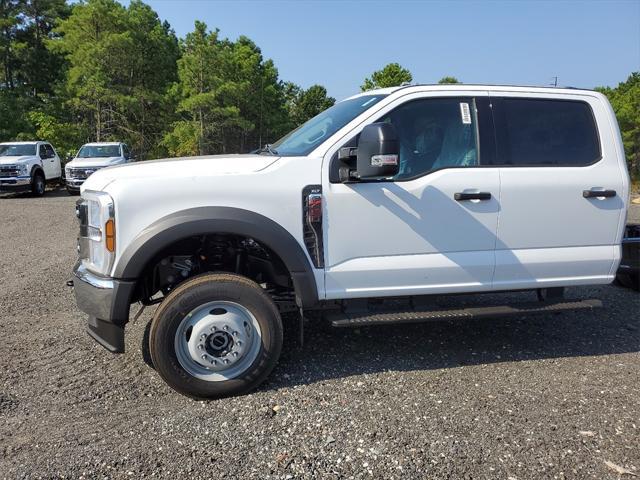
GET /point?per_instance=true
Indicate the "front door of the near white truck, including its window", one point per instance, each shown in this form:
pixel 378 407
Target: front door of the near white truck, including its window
pixel 409 235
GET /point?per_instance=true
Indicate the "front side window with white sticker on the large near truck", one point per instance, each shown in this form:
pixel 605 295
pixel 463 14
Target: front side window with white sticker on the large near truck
pixel 434 134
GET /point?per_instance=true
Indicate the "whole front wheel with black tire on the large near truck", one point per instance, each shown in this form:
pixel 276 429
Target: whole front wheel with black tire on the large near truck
pixel 216 335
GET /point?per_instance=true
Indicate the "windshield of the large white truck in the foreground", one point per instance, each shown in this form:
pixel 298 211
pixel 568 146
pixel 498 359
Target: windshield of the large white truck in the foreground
pixel 309 135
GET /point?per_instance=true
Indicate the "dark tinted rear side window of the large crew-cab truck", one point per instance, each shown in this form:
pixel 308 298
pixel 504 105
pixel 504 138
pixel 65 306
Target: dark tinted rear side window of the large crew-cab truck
pixel 548 132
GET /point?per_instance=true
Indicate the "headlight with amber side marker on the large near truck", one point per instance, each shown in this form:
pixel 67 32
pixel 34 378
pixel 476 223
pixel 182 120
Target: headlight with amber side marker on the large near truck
pixel 97 231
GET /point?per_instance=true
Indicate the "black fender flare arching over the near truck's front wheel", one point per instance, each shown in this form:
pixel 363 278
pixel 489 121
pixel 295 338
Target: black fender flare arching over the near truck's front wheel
pixel 207 220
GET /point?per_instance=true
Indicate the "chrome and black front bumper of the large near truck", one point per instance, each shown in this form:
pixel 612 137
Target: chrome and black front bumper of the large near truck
pixel 106 301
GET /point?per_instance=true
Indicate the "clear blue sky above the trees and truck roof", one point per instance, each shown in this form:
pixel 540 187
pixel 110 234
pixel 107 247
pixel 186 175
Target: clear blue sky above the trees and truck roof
pixel 338 43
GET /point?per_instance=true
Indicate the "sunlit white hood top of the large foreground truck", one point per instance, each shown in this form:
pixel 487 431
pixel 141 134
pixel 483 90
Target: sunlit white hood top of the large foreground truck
pixel 181 168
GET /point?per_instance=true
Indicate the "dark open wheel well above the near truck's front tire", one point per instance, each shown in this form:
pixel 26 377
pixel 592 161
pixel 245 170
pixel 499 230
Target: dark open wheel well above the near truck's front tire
pixel 214 252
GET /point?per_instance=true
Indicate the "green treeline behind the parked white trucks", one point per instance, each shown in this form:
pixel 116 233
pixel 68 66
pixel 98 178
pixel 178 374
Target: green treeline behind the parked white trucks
pixel 96 70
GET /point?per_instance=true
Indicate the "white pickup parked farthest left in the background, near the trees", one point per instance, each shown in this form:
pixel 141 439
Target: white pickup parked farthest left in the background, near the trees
pixel 28 167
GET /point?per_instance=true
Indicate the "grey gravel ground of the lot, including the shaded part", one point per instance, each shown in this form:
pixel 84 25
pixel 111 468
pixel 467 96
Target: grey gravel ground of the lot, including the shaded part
pixel 544 397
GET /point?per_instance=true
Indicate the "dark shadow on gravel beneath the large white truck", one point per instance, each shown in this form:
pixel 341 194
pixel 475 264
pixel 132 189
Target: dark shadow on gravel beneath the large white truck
pixel 331 353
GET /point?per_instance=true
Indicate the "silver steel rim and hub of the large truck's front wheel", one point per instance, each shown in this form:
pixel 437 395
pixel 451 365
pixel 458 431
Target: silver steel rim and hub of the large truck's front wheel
pixel 217 341
